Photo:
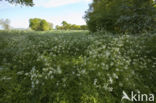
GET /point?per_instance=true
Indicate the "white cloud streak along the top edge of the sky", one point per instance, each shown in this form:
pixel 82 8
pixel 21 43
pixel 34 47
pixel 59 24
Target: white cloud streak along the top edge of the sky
pixel 57 3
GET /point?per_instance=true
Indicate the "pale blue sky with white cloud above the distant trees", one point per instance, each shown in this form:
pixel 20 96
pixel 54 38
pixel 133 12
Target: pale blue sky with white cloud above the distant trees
pixel 54 11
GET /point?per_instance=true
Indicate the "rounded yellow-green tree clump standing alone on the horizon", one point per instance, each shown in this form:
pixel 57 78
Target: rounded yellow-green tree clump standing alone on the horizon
pixel 39 24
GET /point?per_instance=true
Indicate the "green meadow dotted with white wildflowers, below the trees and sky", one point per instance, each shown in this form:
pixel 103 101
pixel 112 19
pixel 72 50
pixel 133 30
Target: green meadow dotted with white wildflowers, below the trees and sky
pixel 75 66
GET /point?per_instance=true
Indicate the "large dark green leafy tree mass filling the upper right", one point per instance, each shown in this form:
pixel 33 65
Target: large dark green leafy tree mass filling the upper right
pixel 134 16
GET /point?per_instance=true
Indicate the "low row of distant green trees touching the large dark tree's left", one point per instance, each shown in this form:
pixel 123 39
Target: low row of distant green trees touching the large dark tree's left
pixel 67 26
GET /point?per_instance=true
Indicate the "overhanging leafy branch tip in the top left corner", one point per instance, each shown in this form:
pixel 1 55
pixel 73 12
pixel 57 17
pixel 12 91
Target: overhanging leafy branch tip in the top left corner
pixel 21 2
